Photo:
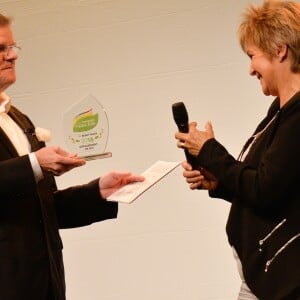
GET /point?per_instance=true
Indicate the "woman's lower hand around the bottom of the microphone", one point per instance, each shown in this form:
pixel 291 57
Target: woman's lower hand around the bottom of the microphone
pixel 199 179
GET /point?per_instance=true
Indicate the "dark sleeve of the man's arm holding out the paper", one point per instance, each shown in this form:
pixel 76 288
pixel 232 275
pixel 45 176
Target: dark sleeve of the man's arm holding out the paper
pixel 82 205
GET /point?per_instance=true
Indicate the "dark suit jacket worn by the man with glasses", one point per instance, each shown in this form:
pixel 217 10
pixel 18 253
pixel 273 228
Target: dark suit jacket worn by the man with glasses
pixel 31 215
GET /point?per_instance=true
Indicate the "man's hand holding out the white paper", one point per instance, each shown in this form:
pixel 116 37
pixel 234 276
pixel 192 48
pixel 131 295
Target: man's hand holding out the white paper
pixel 112 181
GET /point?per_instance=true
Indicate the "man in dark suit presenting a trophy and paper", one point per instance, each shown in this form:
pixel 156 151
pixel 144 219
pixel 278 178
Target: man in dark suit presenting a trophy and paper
pixel 32 210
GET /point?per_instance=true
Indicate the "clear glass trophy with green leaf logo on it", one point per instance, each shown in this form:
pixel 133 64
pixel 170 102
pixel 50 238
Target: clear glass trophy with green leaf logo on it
pixel 86 129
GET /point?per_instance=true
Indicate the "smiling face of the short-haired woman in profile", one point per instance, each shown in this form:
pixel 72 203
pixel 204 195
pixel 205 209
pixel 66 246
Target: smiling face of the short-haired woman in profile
pixel 264 68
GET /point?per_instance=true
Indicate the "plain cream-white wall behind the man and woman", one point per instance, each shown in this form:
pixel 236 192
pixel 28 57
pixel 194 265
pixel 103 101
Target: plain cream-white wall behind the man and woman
pixel 138 57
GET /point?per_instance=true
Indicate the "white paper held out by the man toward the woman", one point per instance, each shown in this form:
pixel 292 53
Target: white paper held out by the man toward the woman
pixel 152 175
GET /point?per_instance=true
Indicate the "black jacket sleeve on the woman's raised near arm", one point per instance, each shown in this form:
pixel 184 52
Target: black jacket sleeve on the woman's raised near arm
pixel 276 176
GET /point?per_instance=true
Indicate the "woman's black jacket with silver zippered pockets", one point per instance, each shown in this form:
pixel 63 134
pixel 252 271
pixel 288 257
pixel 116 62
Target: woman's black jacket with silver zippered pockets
pixel 264 220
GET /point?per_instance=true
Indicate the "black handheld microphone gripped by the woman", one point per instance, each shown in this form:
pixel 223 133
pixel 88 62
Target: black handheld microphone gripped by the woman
pixel 181 118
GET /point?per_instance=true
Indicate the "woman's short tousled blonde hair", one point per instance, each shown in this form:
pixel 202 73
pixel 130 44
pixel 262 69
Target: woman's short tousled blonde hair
pixel 271 25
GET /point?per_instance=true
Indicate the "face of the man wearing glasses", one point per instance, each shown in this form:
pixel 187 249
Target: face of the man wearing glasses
pixel 7 59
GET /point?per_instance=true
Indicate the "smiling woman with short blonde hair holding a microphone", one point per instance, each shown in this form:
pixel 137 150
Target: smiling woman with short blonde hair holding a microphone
pixel 262 184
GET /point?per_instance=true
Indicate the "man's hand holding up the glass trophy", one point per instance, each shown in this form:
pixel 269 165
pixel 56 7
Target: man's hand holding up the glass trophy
pixel 57 161
